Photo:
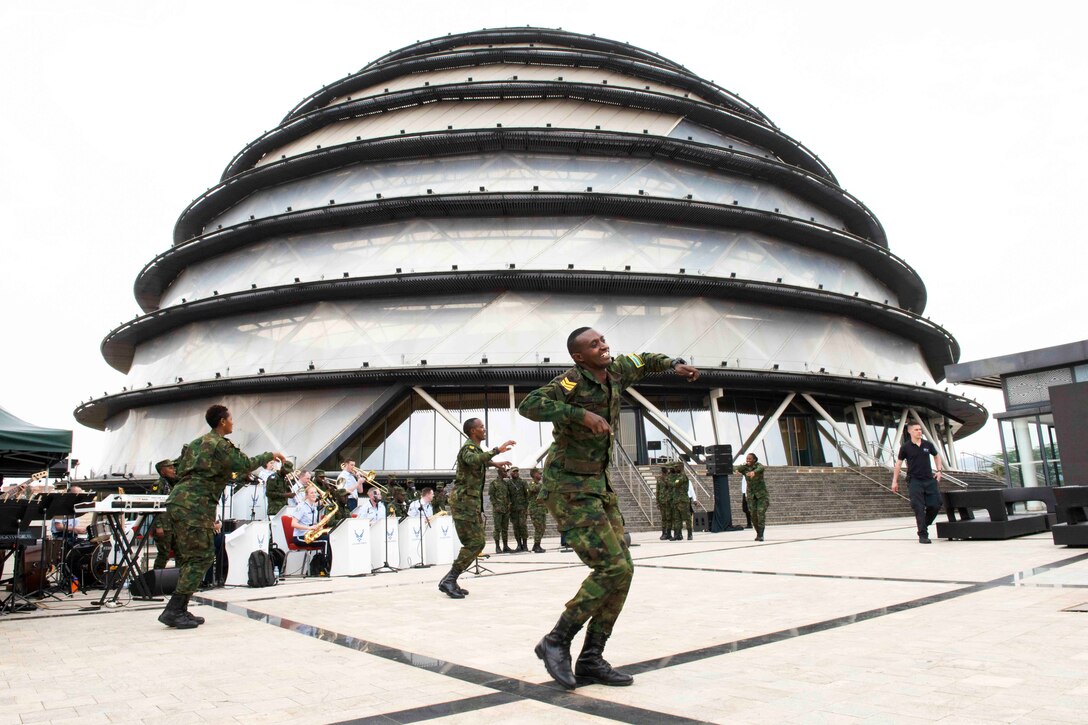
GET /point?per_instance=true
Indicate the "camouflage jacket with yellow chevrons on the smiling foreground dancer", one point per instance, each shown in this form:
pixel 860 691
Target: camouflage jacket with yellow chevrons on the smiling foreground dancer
pixel 578 460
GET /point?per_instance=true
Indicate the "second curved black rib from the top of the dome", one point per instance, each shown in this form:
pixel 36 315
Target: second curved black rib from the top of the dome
pixel 551 57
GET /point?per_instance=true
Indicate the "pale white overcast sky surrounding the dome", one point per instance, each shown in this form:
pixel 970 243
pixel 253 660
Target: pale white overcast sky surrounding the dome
pixel 961 126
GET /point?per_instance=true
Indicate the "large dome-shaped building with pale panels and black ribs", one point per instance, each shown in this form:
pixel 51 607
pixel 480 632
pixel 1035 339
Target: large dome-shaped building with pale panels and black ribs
pixel 412 245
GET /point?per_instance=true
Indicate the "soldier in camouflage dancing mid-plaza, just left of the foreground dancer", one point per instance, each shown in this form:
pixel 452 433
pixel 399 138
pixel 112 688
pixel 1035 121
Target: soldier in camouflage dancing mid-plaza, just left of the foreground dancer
pixel 466 502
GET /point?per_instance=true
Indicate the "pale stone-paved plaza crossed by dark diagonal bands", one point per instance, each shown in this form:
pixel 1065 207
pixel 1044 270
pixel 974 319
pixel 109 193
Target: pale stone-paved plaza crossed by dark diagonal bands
pixel 837 623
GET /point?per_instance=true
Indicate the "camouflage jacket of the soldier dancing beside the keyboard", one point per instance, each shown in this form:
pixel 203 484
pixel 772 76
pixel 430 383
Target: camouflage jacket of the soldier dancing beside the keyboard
pixel 205 468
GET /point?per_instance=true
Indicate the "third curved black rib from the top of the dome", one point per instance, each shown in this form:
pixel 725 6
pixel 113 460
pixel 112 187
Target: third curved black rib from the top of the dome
pixel 713 117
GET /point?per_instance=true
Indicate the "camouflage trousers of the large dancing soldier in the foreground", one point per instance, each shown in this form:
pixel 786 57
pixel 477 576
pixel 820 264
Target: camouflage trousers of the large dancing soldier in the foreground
pixel 595 530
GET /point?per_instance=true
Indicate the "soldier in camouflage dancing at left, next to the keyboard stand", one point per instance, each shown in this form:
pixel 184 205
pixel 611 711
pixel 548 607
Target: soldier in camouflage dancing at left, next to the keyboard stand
pixel 204 469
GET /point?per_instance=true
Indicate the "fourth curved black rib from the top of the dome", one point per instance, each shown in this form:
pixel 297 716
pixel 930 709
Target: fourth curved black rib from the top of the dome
pixel 221 198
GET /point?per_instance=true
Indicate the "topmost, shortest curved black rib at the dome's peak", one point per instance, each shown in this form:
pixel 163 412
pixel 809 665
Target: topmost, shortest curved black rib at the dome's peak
pixel 504 35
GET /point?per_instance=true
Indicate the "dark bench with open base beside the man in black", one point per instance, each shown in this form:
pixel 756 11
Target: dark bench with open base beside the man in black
pixel 1003 522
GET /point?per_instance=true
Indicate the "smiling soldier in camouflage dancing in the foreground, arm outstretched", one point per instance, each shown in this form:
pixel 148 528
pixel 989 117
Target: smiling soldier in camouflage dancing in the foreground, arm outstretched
pixel 584 407
